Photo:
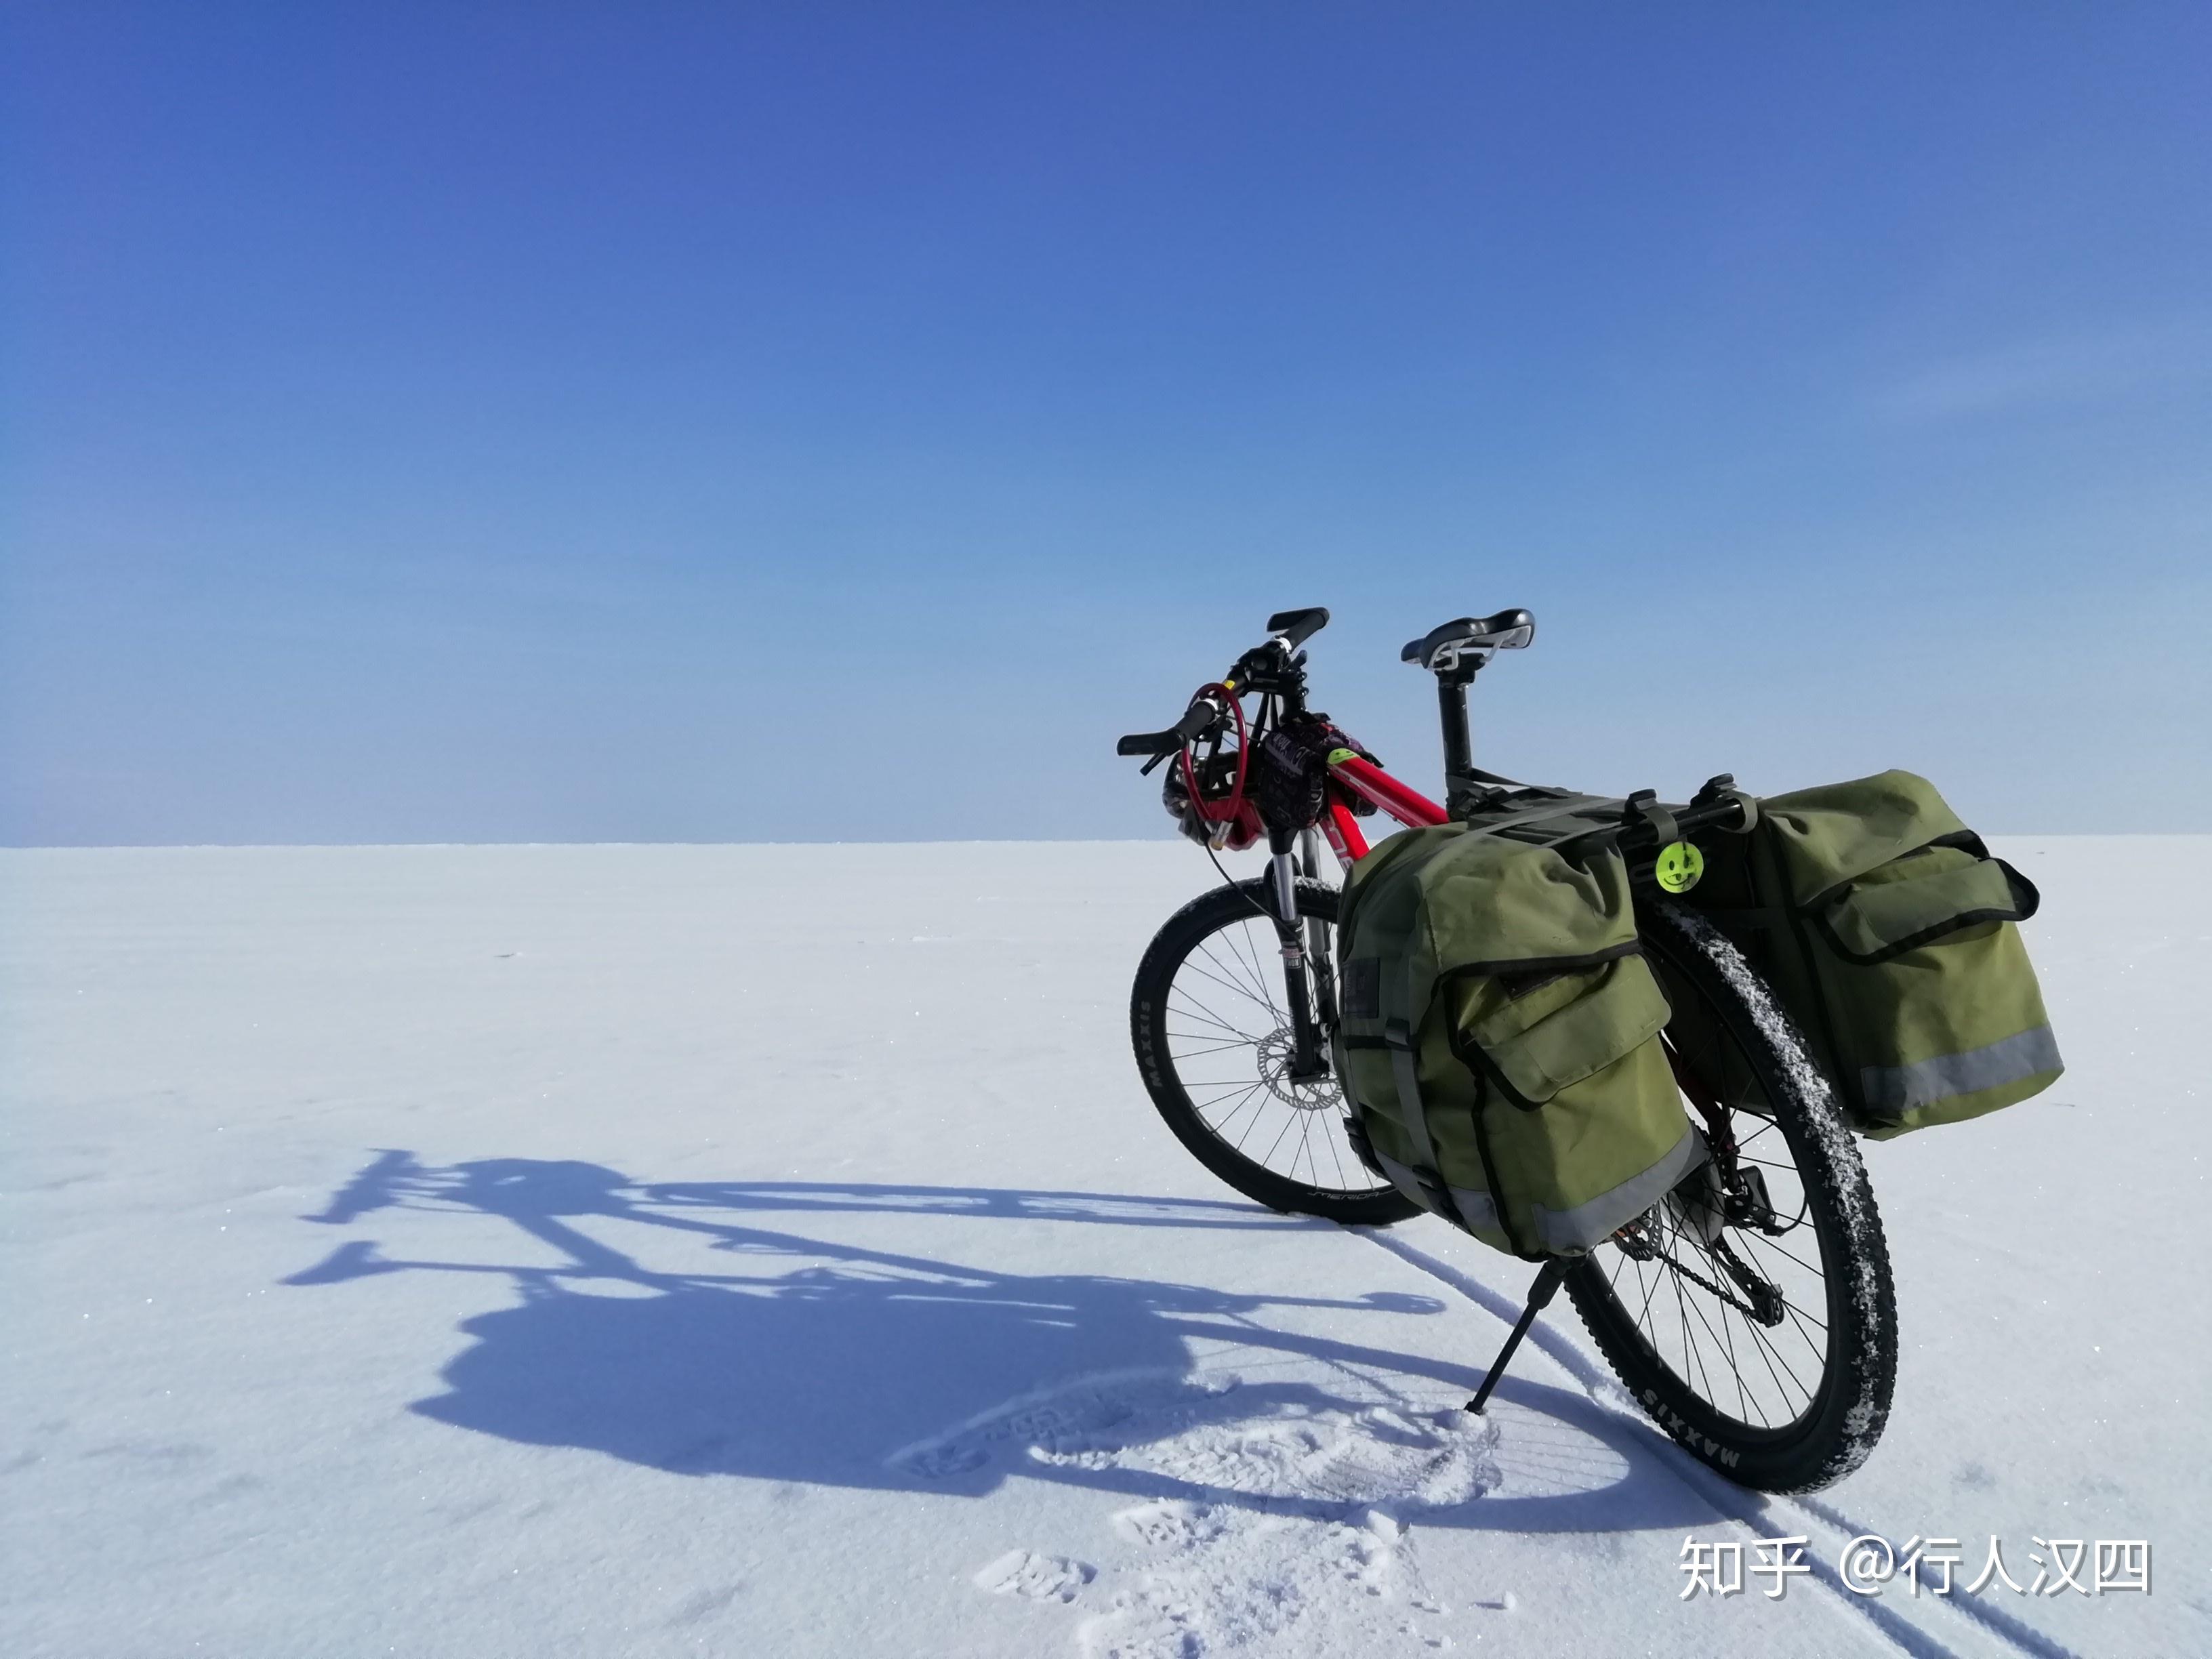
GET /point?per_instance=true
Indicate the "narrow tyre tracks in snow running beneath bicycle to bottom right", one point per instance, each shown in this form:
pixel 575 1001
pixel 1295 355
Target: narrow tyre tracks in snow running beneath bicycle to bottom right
pixel 1815 1516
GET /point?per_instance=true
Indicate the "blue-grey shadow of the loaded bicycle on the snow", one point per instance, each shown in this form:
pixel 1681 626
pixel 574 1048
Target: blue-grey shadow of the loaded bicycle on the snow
pixel 837 1364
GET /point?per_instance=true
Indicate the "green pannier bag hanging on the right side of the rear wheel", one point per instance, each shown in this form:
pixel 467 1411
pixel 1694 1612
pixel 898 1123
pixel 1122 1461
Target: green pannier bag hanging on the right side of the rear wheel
pixel 1890 935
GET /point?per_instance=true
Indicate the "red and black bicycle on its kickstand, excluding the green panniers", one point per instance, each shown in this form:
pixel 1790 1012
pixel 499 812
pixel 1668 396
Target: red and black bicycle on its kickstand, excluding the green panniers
pixel 1751 1313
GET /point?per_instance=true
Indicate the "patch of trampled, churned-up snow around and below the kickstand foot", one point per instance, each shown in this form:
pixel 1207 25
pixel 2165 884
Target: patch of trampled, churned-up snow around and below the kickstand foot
pixel 1300 1510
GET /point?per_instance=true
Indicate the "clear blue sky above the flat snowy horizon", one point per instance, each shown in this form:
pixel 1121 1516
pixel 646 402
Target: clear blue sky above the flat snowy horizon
pixel 839 421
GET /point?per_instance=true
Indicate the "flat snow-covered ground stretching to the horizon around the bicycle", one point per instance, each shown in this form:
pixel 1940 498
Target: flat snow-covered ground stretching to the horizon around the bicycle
pixel 769 1251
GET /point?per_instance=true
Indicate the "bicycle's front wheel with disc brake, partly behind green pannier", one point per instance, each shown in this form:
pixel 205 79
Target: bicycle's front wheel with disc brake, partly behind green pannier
pixel 1213 1041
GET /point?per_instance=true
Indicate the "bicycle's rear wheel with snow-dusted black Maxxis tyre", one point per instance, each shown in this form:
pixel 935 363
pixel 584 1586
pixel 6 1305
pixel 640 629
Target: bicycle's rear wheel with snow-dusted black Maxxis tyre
pixel 1760 1333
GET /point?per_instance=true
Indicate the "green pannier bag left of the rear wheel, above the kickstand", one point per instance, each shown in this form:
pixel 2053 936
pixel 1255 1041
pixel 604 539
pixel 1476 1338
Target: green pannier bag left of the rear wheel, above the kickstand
pixel 1499 1039
